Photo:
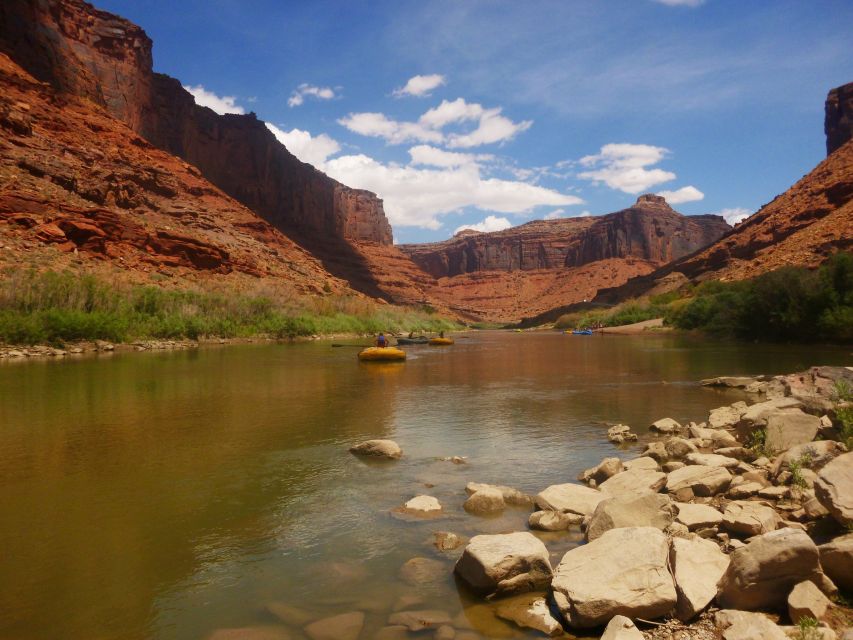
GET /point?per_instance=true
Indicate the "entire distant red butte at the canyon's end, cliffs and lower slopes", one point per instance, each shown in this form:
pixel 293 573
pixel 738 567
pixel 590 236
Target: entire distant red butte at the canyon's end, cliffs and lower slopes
pixel 505 275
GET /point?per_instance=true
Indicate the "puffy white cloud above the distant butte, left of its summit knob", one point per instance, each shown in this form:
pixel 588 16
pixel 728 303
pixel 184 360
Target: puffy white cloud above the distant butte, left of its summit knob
pixel 624 167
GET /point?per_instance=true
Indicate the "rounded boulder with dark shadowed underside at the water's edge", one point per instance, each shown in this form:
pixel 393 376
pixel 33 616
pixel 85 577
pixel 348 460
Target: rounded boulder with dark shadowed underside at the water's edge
pixel 505 564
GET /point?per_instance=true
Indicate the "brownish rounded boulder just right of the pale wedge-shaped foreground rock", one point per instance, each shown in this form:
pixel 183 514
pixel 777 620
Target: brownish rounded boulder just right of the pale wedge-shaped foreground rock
pixel 762 573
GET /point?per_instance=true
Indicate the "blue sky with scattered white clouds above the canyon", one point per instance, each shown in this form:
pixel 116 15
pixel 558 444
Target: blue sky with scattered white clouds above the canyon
pixel 487 114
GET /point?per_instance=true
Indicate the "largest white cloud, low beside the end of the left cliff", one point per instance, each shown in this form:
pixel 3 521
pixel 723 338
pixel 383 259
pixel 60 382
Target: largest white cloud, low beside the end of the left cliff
pixel 419 197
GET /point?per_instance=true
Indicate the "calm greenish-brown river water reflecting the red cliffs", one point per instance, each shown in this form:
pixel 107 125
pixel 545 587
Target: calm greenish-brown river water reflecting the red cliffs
pixel 166 495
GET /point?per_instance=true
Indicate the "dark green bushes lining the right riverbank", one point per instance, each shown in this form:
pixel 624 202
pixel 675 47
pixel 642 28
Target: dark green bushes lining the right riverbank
pixel 789 304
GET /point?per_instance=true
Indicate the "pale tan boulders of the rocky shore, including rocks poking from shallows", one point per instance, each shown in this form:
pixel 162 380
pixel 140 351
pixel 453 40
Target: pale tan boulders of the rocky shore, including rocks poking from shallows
pixel 736 528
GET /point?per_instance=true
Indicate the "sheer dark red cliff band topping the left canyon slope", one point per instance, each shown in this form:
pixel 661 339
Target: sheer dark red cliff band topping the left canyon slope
pixel 96 55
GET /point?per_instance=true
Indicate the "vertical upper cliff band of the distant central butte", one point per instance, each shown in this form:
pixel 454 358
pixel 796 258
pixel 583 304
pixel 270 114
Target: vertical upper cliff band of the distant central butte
pixel 650 230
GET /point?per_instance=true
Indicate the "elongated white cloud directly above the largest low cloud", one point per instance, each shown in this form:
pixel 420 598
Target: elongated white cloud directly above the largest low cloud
pixel 491 125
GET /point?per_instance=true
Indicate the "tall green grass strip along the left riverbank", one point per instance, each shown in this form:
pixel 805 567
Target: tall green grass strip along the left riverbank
pixel 55 308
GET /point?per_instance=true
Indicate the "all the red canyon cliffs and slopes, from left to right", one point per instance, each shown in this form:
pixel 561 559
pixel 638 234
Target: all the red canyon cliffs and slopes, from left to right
pixel 106 165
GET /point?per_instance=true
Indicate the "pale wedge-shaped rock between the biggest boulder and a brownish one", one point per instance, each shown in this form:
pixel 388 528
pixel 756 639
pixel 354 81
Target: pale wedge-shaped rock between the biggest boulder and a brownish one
pixel 697 567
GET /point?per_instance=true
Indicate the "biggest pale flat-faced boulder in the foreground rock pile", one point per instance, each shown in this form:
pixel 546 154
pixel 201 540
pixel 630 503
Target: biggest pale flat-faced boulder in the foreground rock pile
pixel 624 572
